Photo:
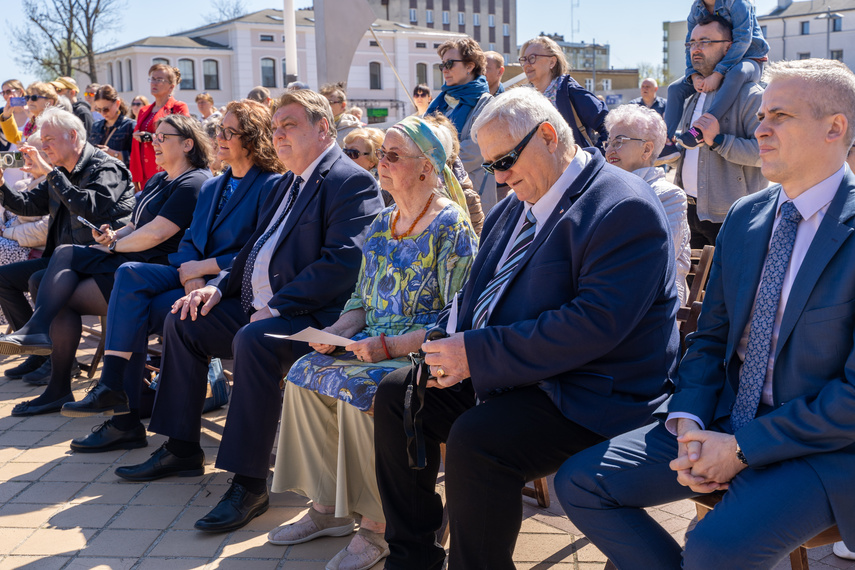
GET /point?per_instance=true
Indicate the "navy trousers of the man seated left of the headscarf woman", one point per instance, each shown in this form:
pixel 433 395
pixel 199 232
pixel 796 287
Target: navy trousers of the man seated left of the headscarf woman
pixel 256 401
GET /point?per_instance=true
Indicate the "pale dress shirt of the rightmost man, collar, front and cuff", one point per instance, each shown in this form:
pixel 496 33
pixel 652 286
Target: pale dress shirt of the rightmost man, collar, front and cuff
pixel 812 205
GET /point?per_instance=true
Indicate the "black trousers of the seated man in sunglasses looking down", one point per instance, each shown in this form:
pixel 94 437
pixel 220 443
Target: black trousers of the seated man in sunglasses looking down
pixel 493 449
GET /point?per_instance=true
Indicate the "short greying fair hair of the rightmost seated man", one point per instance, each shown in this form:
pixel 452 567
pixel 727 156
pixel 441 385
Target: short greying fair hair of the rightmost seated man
pixel 832 87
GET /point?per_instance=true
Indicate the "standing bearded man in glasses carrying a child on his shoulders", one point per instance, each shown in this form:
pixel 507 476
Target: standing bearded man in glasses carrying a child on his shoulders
pixel 727 166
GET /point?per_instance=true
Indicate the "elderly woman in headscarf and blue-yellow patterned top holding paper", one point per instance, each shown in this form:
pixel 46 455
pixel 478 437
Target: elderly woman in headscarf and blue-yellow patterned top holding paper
pixel 416 256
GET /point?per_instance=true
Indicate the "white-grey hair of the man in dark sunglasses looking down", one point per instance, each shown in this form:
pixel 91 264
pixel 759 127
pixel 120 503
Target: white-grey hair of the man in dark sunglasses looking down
pixel 518 111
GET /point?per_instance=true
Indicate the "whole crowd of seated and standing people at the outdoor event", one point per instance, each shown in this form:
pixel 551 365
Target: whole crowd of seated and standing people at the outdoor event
pixel 531 333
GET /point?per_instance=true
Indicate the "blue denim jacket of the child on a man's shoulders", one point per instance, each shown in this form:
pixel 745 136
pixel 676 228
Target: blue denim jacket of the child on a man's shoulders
pixel 748 41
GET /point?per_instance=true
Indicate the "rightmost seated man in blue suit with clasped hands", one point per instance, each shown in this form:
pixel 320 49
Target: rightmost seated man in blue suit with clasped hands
pixel 765 401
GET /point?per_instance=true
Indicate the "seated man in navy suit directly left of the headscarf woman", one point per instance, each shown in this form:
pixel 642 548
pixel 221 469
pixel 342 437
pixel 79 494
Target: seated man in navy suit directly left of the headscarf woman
pixel 297 270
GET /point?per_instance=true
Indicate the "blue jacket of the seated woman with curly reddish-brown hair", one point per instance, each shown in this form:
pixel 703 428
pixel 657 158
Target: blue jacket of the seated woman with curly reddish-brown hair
pixel 223 236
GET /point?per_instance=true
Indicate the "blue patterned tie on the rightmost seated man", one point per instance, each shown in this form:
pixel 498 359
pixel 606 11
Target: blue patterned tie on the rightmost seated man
pixel 753 373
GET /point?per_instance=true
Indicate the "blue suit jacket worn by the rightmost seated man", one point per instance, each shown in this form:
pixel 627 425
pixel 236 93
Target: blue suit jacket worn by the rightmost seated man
pixel 814 394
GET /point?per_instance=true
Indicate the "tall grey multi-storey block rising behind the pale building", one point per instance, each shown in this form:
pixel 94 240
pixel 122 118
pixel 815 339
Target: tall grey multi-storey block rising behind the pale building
pixel 491 23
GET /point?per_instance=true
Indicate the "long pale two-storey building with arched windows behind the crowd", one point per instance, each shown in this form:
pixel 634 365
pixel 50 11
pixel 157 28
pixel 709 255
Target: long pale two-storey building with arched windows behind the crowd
pixel 227 59
